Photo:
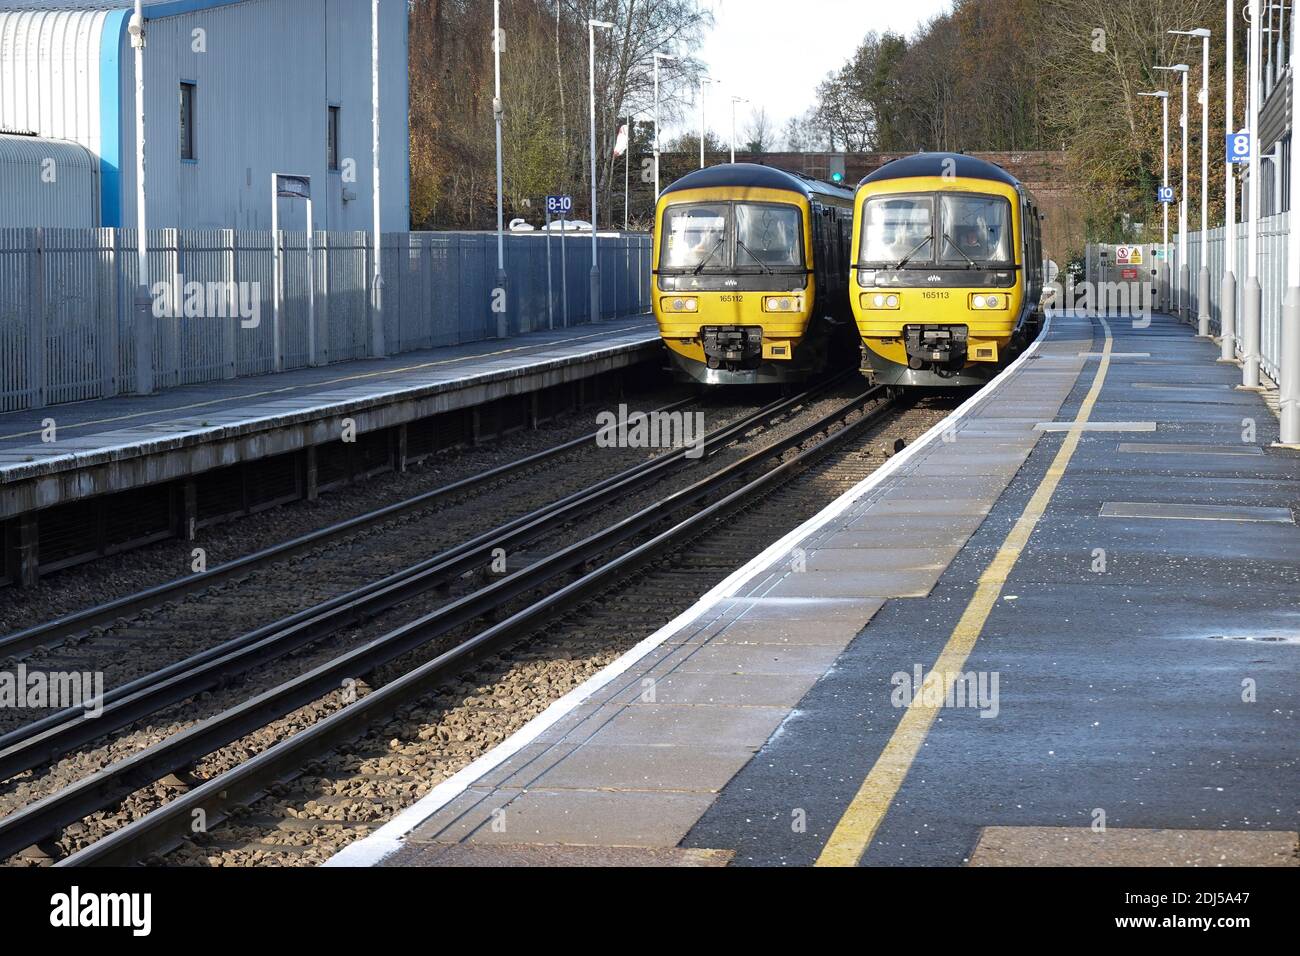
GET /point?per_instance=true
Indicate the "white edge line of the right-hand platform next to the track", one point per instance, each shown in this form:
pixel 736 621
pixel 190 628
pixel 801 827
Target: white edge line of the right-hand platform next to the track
pixel 388 840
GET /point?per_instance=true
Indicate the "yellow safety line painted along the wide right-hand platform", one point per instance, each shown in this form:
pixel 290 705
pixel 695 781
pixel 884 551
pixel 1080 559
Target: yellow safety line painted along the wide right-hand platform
pixel 859 825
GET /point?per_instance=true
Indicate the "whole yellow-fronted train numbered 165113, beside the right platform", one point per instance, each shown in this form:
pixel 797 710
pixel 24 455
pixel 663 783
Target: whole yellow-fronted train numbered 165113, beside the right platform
pixel 947 271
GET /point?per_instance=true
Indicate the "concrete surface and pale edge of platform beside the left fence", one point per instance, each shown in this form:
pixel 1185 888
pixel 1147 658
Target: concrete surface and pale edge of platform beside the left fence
pixel 116 444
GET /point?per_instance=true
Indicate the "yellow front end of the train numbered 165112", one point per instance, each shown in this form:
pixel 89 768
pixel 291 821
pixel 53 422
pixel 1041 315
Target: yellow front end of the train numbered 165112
pixel 699 304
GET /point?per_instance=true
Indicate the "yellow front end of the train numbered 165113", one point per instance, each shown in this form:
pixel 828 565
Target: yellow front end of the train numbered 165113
pixel 934 305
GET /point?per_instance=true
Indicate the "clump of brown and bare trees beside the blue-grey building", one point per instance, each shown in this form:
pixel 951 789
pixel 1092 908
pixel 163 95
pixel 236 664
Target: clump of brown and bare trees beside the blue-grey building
pixel 544 66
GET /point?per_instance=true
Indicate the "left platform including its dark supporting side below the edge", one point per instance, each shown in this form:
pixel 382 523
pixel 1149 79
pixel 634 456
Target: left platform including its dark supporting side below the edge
pixel 63 457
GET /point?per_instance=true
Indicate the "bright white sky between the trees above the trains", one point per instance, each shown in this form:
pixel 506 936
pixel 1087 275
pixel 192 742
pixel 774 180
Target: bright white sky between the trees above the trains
pixel 775 53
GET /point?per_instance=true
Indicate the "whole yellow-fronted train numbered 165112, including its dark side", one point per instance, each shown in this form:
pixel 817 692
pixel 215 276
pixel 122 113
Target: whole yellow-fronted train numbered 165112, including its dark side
pixel 752 276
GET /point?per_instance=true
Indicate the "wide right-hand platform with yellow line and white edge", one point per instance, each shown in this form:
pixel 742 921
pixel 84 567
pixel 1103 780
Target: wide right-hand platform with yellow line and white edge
pixel 1061 629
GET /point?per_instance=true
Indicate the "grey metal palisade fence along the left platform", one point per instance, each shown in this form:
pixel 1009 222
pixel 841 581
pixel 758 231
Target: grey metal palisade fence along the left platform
pixel 68 327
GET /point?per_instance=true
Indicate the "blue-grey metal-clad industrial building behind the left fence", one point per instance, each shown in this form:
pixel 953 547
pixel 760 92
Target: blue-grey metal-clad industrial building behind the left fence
pixel 235 92
